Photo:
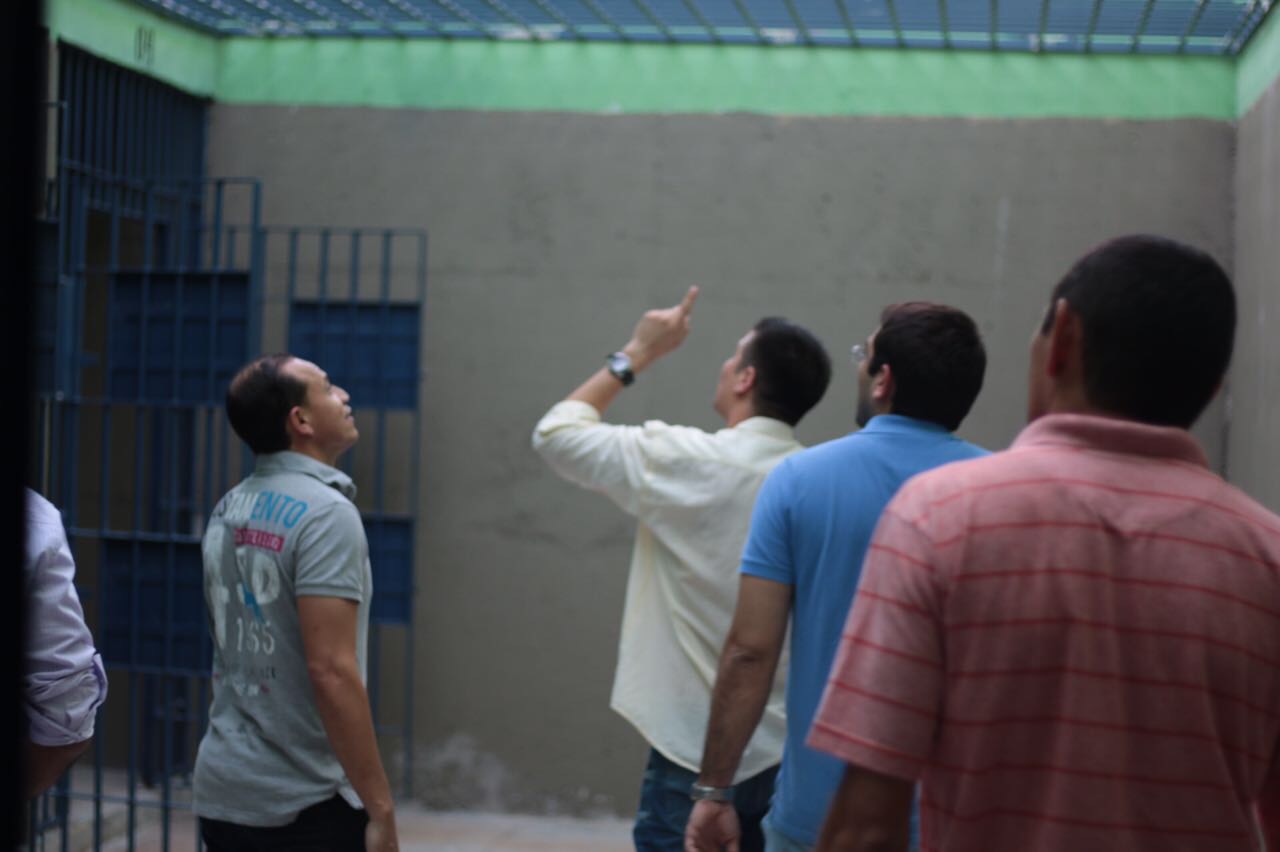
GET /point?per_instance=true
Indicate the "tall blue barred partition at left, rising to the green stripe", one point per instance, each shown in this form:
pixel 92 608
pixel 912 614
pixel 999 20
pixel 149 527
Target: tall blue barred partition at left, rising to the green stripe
pixel 130 294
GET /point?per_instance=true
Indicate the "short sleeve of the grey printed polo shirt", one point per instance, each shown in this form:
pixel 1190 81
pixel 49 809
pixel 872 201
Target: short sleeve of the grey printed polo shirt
pixel 331 555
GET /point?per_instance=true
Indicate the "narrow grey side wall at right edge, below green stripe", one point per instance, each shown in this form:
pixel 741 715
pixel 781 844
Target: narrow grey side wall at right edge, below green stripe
pixel 1255 382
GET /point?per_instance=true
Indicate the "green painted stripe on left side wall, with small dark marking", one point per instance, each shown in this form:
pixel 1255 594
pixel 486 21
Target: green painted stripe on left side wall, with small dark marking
pixel 109 29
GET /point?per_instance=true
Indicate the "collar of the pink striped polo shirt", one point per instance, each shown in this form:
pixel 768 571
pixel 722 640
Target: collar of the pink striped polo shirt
pixel 1116 436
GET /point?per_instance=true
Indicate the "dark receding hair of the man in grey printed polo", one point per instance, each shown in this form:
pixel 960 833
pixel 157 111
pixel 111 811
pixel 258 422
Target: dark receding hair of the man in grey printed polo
pixel 259 402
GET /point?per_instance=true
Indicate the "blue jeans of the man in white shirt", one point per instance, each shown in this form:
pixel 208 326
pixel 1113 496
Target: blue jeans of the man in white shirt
pixel 665 807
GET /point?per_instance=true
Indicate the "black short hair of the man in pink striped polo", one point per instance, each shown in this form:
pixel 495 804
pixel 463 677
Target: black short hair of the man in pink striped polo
pixel 1158 323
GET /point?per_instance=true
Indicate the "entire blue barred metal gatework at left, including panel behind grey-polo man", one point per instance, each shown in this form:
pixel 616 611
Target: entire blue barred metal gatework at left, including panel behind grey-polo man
pixel 158 285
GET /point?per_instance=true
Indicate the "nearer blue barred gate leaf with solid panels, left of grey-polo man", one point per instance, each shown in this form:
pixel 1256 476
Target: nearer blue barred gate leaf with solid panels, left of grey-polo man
pixel 129 441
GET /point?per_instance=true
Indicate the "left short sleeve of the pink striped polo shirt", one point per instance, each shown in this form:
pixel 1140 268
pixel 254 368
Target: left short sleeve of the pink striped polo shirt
pixel 883 704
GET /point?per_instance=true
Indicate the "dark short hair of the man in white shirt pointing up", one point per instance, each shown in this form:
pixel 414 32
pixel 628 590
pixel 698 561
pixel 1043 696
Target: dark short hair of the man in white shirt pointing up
pixel 793 369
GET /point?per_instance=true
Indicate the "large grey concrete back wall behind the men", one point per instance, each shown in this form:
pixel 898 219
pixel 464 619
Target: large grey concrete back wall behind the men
pixel 551 233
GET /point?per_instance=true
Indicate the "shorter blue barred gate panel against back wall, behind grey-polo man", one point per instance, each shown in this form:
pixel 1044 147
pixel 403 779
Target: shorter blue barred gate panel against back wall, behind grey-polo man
pixel 355 305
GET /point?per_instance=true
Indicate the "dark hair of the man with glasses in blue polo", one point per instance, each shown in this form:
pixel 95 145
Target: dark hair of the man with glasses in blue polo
pixel 936 358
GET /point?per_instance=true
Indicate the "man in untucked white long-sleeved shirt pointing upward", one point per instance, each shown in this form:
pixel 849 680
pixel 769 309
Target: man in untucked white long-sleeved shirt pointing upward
pixel 692 493
